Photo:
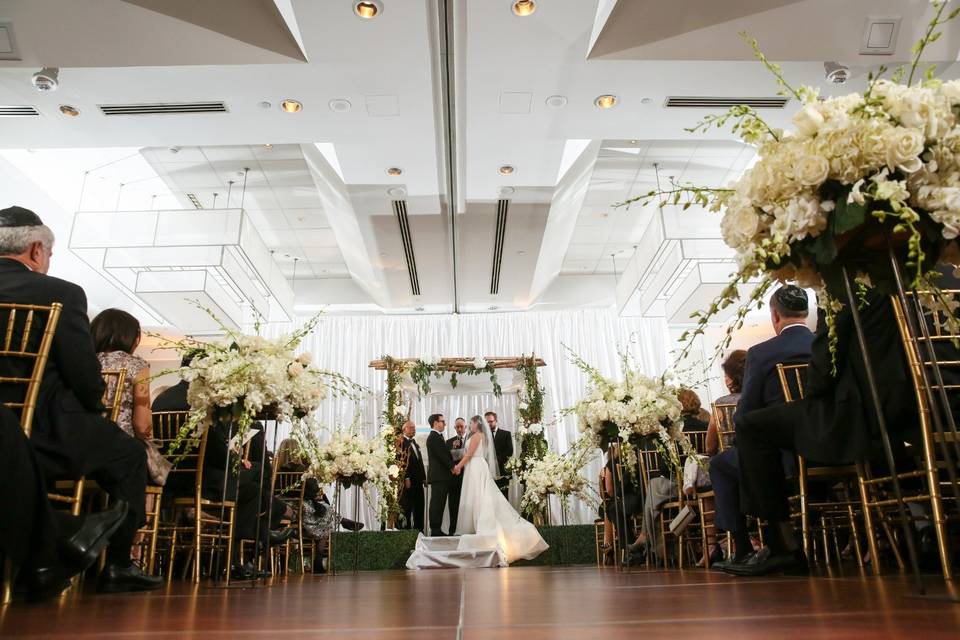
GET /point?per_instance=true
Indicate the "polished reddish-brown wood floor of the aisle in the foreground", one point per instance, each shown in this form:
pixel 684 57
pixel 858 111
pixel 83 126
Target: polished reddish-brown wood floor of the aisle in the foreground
pixel 532 603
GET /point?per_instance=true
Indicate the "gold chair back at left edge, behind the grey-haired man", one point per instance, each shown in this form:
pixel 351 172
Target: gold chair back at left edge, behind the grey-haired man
pixel 25 344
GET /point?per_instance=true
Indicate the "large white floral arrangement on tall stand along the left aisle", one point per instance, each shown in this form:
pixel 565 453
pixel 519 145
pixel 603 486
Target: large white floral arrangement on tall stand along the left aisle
pixel 244 377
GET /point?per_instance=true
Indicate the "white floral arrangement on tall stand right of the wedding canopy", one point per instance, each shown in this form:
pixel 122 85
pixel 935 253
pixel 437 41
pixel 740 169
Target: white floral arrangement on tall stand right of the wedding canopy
pixel 635 409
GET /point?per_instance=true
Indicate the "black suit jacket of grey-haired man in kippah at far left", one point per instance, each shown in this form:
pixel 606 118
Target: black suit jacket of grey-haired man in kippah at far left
pixel 72 387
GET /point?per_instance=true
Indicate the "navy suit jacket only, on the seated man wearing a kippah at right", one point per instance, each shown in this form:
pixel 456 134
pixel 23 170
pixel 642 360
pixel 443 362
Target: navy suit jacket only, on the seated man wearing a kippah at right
pixel 761 384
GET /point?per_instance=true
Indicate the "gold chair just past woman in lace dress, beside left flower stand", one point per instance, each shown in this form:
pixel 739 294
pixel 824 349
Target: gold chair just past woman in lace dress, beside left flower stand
pixel 208 530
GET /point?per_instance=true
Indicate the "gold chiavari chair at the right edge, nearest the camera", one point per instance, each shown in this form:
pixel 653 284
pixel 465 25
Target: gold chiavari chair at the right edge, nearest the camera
pixel 931 478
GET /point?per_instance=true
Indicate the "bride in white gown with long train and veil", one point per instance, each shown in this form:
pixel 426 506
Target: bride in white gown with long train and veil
pixel 486 521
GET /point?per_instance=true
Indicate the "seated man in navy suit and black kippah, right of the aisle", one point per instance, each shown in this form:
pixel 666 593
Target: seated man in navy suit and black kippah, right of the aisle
pixel 761 388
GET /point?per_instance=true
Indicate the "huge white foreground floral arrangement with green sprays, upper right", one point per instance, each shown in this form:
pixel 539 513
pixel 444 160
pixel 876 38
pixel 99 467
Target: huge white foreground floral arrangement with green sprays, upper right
pixel 859 173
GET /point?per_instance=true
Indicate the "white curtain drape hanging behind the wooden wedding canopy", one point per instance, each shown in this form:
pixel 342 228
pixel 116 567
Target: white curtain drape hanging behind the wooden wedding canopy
pixel 347 344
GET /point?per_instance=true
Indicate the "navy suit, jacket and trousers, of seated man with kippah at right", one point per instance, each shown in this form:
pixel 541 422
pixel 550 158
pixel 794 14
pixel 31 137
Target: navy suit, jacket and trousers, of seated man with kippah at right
pixel 761 388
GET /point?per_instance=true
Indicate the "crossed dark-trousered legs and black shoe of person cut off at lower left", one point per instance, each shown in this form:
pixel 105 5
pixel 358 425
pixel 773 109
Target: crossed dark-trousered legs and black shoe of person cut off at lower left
pixel 49 546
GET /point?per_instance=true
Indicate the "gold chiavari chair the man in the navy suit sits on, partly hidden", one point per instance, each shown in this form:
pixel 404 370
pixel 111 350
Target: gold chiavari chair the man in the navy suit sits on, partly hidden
pixel 840 477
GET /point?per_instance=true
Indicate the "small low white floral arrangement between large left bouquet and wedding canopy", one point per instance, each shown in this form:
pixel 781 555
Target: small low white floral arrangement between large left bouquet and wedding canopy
pixel 349 459
